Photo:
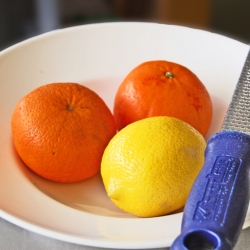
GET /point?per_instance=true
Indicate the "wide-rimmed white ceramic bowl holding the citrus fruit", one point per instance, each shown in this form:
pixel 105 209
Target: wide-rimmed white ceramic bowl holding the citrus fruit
pixel 99 56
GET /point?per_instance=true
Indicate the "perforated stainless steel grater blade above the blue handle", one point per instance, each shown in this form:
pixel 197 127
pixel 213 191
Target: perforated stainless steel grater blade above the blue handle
pixel 238 114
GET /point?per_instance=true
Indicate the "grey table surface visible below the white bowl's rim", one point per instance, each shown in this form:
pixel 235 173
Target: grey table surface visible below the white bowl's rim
pixel 15 238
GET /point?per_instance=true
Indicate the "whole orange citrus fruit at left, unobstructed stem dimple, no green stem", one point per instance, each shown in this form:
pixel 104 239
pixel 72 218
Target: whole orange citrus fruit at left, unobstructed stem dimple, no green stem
pixel 60 131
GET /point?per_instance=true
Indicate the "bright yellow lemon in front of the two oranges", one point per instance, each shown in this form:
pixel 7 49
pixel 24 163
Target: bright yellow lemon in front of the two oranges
pixel 148 167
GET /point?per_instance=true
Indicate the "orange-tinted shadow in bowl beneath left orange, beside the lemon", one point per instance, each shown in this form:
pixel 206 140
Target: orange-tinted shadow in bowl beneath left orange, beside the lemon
pixel 88 195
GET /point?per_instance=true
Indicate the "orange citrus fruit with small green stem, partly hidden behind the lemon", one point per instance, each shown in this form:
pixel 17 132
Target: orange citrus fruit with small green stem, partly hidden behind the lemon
pixel 162 88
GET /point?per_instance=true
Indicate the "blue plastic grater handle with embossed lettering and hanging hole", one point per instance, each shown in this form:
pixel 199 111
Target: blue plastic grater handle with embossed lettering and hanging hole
pixel 217 204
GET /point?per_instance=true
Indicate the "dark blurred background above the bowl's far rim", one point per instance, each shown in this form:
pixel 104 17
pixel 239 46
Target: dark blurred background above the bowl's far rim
pixel 20 20
